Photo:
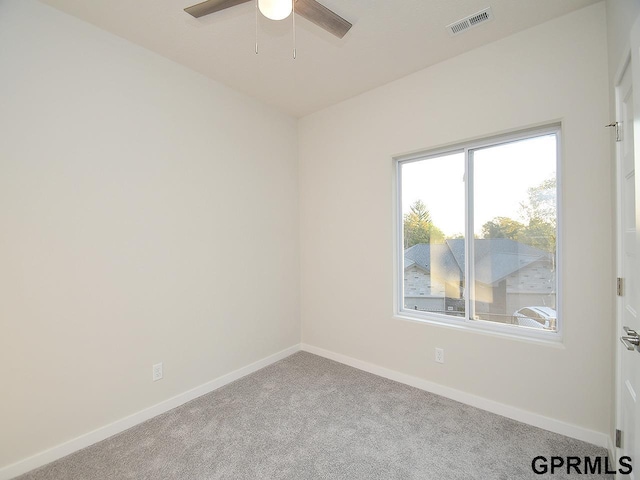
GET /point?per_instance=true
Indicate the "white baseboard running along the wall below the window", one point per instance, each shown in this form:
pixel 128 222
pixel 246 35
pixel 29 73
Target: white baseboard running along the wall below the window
pixel 530 418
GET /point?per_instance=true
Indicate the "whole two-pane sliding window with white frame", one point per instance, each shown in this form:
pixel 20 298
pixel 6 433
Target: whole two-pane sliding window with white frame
pixel 478 234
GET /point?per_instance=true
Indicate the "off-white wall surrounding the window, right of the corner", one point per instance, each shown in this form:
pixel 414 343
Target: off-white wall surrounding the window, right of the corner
pixel 556 71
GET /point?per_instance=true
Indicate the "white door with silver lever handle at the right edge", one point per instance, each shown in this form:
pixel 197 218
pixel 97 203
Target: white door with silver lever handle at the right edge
pixel 628 388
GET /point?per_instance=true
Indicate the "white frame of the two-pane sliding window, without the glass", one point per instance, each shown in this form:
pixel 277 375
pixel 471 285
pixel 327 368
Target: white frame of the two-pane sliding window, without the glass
pixel 467 323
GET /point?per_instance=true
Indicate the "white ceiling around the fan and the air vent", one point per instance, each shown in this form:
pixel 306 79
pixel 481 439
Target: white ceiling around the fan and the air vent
pixel 389 39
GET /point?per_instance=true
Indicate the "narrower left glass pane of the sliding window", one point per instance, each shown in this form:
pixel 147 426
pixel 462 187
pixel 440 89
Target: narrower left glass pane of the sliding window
pixel 433 215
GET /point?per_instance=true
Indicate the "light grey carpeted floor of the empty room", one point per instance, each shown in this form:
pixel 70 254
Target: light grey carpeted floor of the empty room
pixel 306 418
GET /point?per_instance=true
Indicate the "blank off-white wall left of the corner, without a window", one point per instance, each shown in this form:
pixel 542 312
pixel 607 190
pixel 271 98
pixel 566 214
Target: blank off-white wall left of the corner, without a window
pixel 147 214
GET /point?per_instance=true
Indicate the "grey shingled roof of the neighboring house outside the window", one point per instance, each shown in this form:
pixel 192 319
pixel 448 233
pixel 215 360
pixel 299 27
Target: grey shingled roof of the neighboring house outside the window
pixel 495 258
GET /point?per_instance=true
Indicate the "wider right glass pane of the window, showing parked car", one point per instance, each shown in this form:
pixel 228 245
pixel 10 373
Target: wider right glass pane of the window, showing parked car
pixel 514 222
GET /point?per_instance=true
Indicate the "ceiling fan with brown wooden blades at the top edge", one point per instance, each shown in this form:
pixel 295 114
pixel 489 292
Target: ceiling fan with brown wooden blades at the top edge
pixel 309 9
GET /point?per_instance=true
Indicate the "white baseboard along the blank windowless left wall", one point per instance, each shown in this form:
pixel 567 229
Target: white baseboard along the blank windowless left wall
pixel 102 433
